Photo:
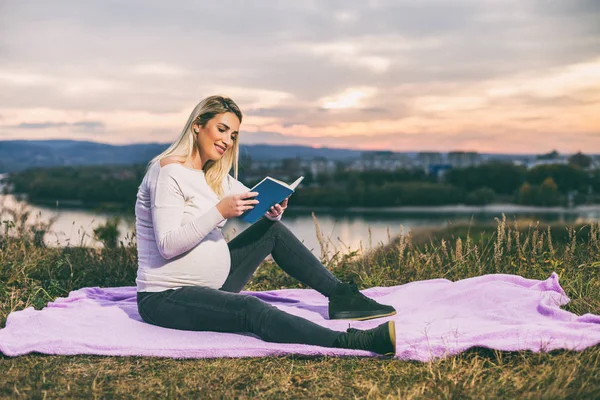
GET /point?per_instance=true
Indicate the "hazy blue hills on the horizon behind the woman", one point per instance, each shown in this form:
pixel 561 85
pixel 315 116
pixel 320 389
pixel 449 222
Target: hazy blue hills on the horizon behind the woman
pixel 16 155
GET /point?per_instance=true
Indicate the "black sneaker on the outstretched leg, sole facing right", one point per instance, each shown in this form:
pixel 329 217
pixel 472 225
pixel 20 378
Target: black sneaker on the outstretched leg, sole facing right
pixel 381 339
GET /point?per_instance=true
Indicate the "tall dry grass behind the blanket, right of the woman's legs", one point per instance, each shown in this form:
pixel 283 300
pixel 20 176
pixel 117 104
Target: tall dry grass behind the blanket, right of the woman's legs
pixel 528 249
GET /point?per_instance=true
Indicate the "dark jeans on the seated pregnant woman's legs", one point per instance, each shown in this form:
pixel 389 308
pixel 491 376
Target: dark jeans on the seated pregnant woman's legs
pixel 202 308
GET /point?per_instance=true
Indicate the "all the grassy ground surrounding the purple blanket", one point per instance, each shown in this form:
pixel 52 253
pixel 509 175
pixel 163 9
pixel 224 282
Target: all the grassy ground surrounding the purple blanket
pixel 32 275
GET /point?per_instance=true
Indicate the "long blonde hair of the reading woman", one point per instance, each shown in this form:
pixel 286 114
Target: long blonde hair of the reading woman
pixel 183 147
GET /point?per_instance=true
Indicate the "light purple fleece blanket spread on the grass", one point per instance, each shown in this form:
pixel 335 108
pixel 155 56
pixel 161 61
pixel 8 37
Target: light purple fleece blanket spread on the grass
pixel 435 318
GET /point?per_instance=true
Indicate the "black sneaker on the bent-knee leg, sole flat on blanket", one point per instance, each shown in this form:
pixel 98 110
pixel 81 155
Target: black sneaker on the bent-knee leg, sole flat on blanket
pixel 349 303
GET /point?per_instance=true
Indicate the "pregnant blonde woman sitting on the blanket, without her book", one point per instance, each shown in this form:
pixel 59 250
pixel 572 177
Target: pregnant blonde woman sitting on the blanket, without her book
pixel 189 277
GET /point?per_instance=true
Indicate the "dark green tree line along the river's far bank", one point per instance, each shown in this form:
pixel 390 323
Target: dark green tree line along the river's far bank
pixel 544 185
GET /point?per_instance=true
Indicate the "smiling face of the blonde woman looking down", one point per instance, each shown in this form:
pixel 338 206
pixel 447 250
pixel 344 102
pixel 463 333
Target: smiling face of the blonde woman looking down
pixel 217 137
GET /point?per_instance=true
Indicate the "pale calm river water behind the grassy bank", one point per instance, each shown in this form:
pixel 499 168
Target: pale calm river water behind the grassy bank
pixel 344 231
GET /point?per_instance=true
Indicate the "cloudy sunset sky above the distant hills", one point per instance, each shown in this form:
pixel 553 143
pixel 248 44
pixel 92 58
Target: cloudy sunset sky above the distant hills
pixel 492 76
